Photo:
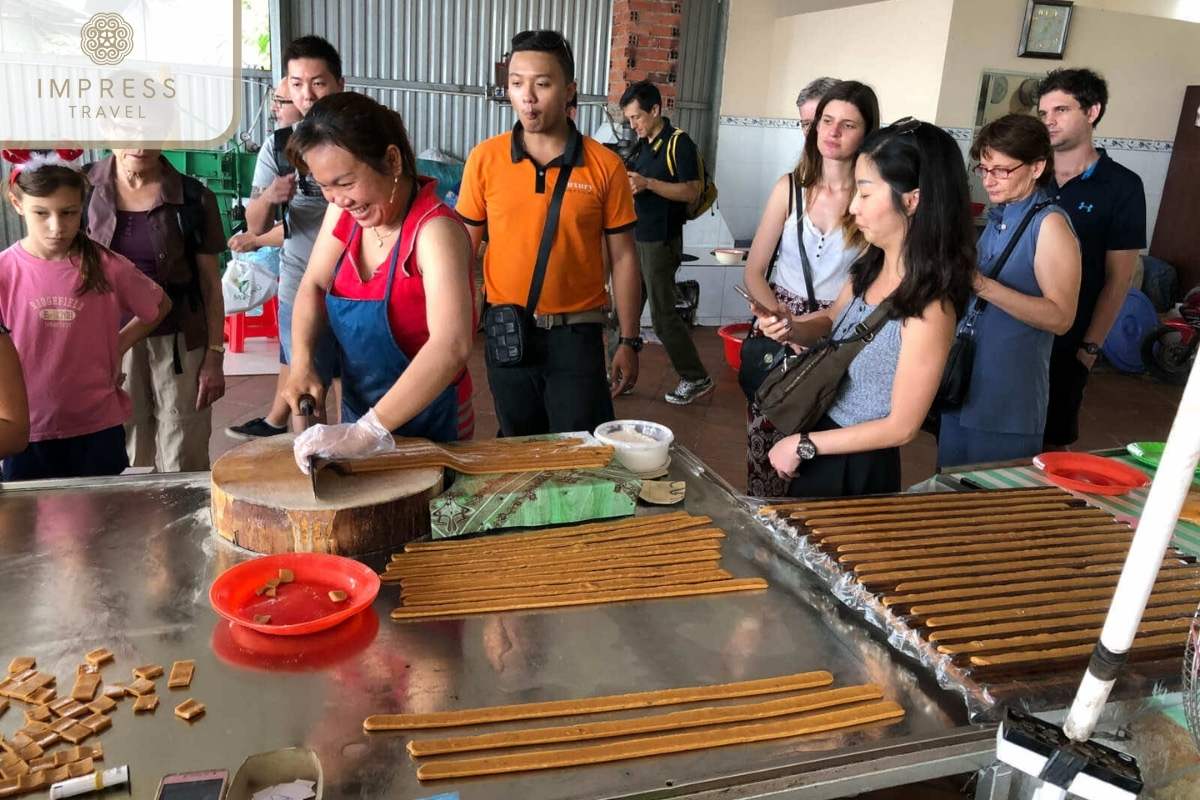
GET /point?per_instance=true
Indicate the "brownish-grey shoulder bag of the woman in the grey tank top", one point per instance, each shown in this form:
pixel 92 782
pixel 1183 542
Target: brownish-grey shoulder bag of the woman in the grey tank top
pixel 802 388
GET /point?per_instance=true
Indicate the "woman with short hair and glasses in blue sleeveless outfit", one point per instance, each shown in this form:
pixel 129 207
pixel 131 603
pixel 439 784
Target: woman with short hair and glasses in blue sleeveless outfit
pixel 1021 302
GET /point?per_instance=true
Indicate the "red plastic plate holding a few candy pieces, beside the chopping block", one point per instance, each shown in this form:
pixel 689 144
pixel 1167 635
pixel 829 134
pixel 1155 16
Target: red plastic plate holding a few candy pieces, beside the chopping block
pixel 302 606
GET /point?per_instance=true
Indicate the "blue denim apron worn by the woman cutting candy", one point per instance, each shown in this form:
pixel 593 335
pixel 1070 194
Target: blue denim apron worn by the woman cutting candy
pixel 373 363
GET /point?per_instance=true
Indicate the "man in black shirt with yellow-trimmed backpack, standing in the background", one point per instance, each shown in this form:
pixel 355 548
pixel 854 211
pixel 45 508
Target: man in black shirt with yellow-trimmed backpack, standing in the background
pixel 663 189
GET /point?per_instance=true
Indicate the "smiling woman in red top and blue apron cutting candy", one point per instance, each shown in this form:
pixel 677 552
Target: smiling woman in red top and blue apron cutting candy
pixel 391 275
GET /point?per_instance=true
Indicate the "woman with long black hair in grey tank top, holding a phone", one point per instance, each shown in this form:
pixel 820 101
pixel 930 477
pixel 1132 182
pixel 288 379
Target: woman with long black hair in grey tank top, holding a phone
pixel 914 208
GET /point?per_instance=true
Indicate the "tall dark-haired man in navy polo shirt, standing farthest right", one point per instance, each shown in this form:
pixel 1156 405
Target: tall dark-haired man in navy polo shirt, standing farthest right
pixel 1107 206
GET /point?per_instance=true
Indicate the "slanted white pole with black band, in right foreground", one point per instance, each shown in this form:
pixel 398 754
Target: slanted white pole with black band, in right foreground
pixel 1155 532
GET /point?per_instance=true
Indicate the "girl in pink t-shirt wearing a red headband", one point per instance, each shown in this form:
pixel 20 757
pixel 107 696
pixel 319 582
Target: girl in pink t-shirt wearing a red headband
pixel 64 297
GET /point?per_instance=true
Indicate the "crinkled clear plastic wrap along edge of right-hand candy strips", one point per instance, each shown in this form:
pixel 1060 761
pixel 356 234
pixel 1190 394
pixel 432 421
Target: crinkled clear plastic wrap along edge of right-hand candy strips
pixel 1047 693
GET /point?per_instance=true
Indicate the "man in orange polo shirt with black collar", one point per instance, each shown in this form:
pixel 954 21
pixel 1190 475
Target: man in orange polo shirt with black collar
pixel 560 384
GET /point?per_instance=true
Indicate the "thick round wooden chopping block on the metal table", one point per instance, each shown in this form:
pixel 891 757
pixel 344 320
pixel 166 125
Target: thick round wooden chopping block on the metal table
pixel 262 502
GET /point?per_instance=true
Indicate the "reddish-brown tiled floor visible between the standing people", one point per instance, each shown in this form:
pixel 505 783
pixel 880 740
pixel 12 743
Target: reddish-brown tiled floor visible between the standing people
pixel 1119 410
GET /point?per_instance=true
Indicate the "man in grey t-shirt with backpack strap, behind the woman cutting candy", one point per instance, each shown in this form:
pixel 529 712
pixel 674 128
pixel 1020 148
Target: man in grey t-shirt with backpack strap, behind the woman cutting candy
pixel 314 70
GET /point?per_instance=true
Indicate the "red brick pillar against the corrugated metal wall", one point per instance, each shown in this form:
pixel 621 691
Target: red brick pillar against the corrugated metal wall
pixel 645 47
